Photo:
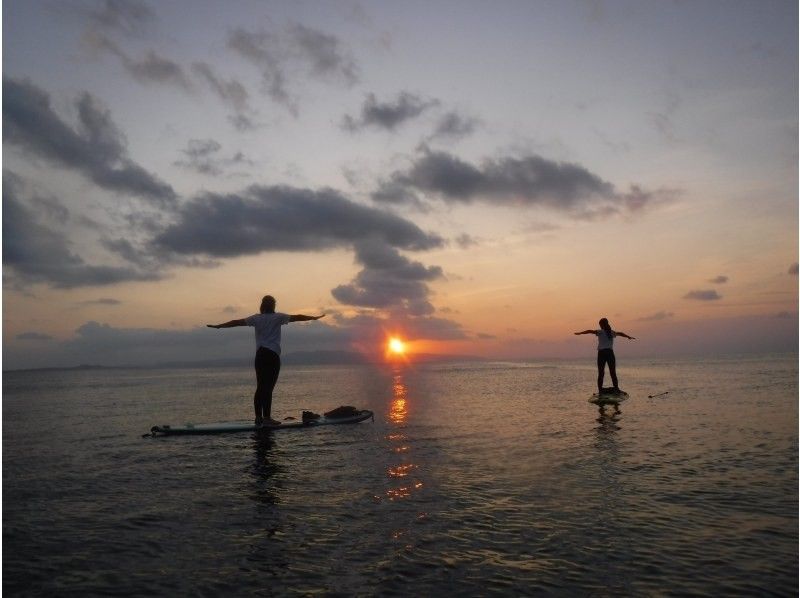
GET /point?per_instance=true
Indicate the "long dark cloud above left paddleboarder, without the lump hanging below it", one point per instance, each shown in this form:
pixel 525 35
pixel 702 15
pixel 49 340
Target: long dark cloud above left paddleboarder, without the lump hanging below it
pixel 284 219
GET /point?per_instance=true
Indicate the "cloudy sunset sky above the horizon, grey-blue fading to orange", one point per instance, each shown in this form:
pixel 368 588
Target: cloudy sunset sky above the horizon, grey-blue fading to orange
pixel 478 178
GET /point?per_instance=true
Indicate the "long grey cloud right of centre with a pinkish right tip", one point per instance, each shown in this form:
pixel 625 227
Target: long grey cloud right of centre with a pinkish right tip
pixel 513 181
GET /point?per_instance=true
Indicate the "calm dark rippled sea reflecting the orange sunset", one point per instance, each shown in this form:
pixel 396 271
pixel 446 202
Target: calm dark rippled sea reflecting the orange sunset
pixel 473 480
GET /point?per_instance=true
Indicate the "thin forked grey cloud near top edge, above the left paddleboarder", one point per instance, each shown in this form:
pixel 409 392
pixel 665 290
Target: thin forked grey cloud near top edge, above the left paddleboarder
pixel 282 55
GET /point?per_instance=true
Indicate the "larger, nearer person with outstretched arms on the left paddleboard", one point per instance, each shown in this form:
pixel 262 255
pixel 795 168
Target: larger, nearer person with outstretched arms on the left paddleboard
pixel 268 350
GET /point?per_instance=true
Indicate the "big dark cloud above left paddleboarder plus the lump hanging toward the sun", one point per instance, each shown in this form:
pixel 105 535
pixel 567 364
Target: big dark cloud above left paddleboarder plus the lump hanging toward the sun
pixel 291 219
